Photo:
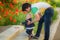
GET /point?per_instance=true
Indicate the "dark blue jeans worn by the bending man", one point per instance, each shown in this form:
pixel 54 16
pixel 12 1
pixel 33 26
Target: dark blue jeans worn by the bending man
pixel 46 19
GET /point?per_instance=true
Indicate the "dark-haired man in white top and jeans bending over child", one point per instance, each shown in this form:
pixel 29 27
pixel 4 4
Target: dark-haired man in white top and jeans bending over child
pixel 43 13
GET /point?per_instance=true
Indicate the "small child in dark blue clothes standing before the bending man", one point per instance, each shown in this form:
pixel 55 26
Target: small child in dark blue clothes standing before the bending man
pixel 29 28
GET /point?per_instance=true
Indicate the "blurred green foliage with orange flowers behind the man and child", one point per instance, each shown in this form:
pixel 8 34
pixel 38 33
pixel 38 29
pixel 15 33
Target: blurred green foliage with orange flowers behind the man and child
pixel 11 13
